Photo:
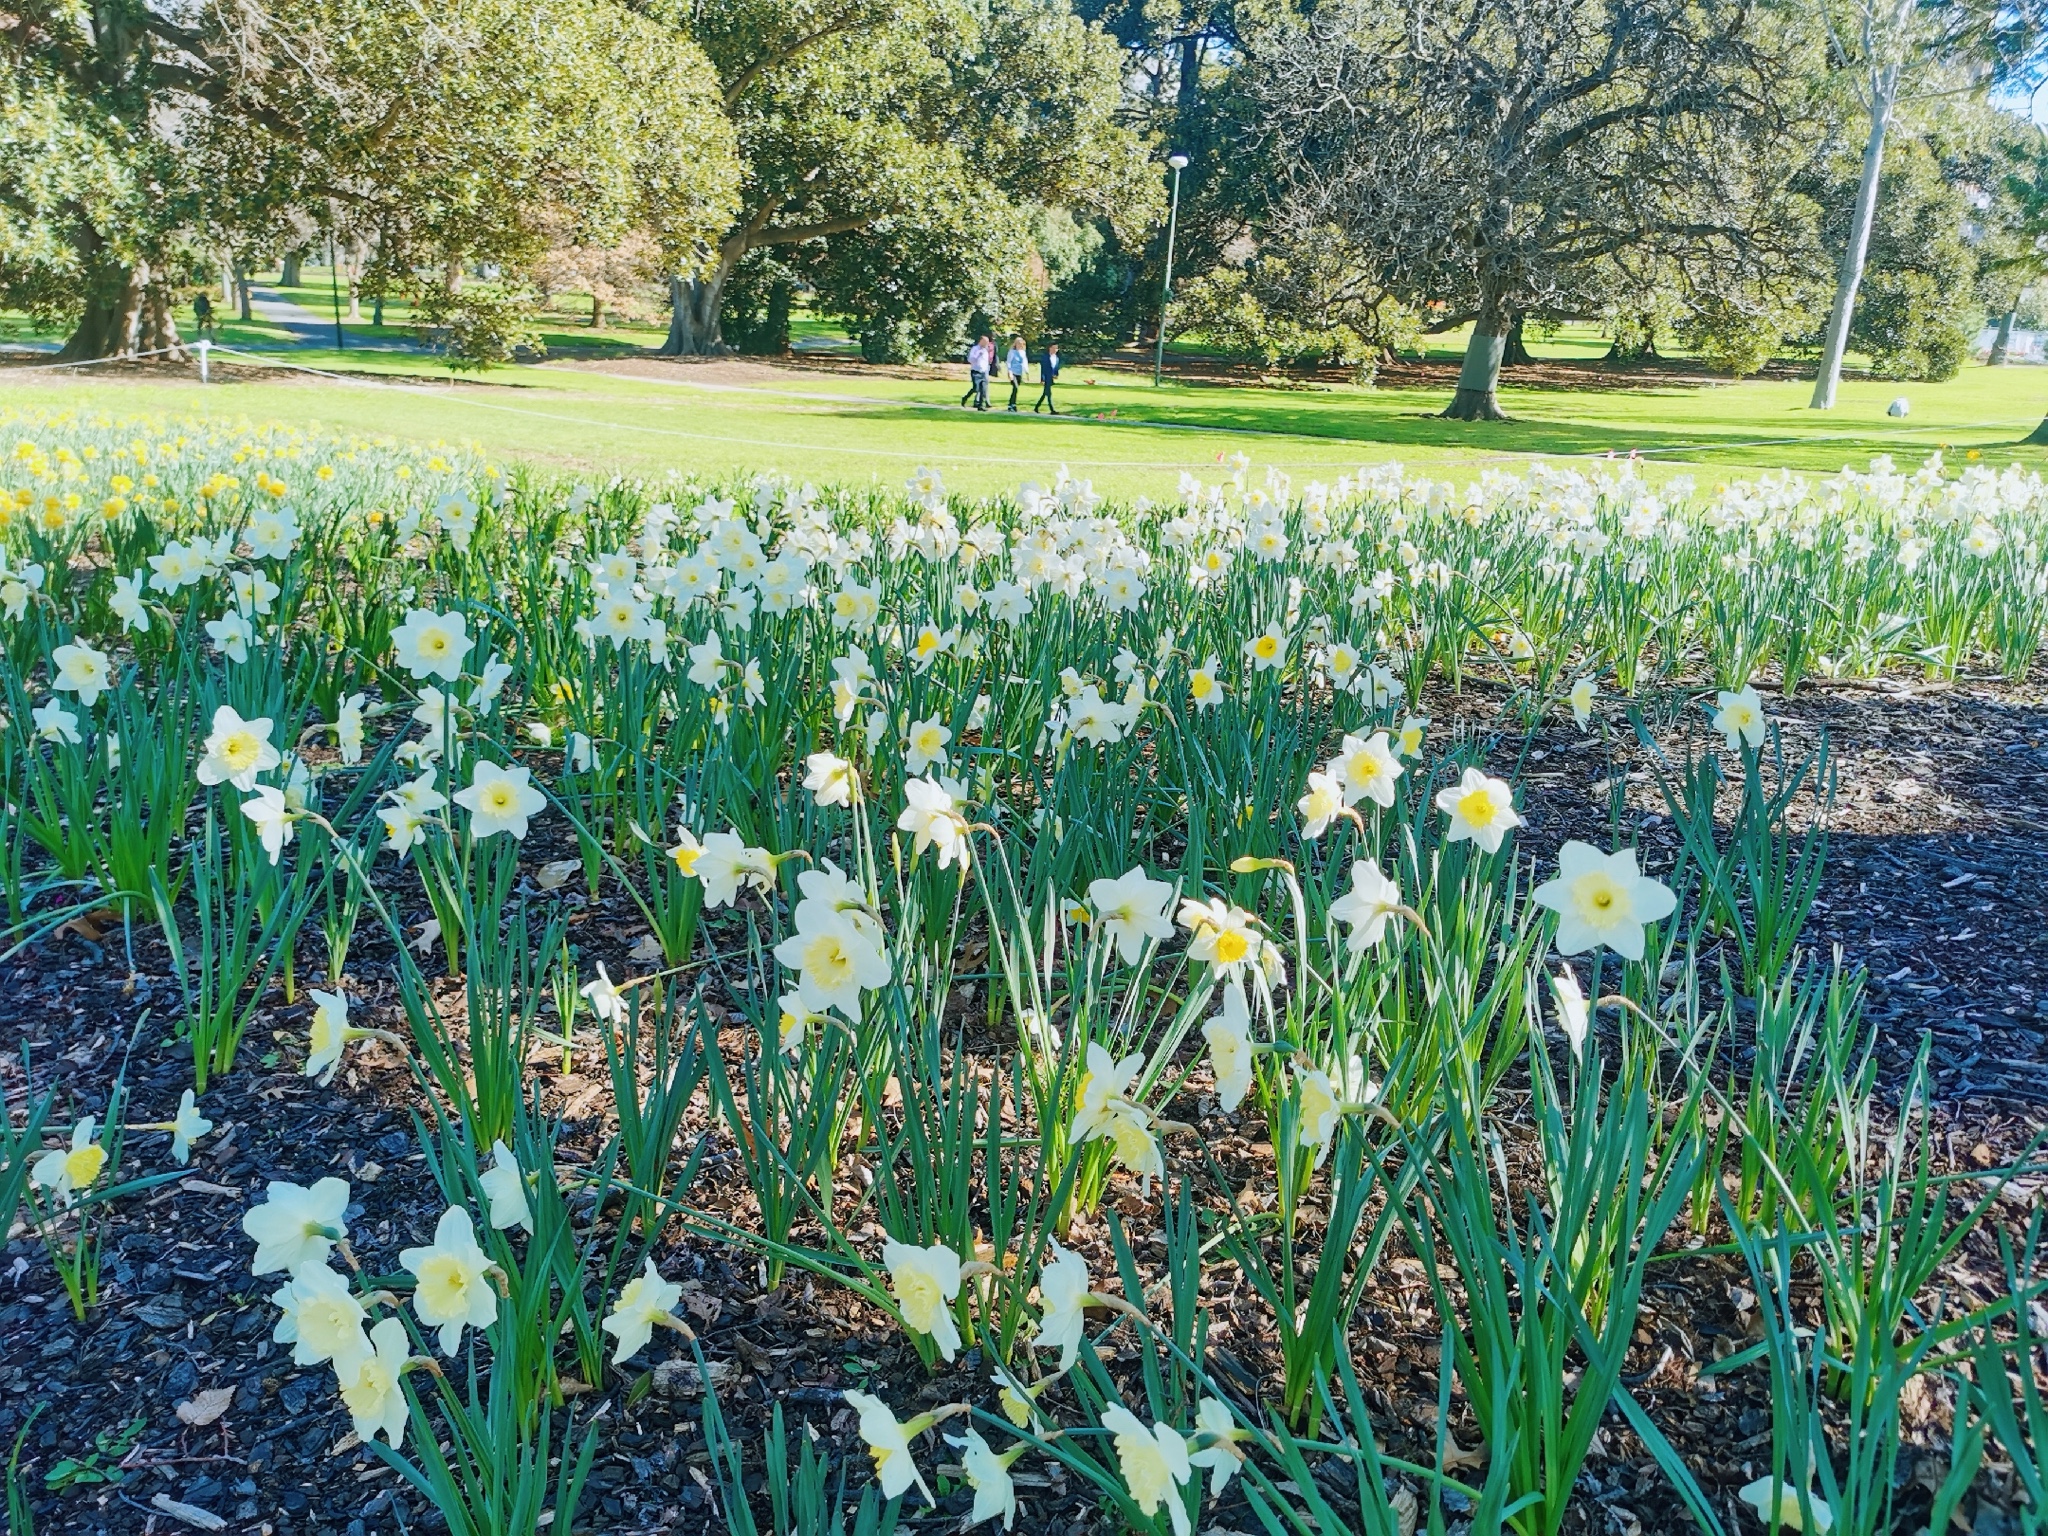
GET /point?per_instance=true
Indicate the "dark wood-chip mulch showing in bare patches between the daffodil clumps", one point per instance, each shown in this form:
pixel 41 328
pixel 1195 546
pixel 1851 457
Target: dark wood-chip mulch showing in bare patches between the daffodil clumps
pixel 1934 888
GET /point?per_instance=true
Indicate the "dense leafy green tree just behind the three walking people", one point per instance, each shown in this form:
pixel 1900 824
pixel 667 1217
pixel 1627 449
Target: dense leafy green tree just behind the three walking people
pixel 890 146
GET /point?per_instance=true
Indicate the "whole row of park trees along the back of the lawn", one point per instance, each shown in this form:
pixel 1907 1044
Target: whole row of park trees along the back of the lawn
pixel 1740 179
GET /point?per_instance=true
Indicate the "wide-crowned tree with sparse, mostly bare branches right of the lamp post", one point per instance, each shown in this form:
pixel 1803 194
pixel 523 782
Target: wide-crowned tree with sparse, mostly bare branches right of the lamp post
pixel 1498 155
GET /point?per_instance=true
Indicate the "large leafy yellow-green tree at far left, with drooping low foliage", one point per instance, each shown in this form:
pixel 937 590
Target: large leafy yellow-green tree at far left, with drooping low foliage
pixel 447 136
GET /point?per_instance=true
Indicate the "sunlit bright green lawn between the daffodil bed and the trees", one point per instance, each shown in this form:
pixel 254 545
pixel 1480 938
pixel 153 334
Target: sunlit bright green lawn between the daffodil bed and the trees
pixel 1119 431
